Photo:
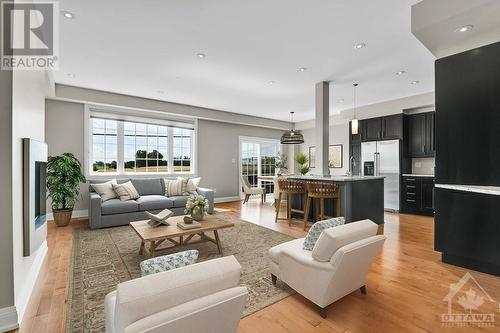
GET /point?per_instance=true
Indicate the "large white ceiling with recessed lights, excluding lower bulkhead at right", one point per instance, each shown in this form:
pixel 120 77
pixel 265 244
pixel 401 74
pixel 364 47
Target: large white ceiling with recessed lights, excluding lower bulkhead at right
pixel 142 47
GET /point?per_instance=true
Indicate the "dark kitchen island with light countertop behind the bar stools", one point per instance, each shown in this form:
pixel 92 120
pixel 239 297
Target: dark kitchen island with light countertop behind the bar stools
pixel 360 197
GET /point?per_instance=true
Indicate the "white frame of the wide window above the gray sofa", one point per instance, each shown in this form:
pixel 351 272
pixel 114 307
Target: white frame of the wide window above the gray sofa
pixel 116 113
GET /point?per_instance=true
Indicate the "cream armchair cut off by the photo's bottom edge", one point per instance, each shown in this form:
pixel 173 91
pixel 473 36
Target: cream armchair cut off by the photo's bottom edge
pixel 203 297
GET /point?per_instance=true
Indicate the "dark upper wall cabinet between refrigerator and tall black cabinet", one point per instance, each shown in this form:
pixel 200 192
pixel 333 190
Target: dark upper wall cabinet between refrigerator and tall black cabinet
pixel 420 131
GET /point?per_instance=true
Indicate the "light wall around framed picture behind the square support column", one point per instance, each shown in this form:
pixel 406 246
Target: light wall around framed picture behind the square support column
pixel 339 134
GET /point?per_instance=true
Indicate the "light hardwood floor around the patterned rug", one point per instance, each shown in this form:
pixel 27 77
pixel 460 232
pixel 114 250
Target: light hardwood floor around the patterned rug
pixel 406 285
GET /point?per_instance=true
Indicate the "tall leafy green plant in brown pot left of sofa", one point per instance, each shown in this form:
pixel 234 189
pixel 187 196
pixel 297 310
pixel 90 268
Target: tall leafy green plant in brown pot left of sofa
pixel 64 175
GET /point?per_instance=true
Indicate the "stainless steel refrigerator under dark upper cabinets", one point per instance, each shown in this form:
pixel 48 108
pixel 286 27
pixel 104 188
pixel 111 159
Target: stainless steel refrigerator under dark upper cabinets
pixel 382 158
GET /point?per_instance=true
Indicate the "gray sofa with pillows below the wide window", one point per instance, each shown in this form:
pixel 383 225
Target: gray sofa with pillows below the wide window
pixel 114 212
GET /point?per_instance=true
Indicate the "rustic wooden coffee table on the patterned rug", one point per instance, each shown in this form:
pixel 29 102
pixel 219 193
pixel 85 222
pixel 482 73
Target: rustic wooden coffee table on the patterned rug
pixel 152 238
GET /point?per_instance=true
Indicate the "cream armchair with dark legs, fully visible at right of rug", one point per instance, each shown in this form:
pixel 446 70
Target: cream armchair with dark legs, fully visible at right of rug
pixel 337 265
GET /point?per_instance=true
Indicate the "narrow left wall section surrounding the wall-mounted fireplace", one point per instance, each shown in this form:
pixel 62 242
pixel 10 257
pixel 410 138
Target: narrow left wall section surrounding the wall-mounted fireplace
pixel 28 119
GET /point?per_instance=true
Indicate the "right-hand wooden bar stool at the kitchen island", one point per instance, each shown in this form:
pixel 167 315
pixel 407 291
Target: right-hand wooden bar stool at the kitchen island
pixel 321 191
